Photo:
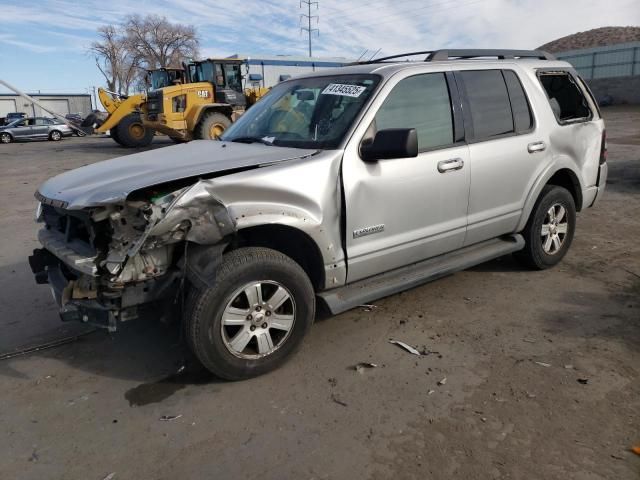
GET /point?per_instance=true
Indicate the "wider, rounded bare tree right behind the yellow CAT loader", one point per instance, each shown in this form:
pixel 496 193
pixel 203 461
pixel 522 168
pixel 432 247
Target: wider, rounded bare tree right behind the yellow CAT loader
pixel 158 42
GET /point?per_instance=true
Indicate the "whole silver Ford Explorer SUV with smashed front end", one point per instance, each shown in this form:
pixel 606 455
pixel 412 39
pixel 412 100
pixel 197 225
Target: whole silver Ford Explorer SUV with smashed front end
pixel 340 187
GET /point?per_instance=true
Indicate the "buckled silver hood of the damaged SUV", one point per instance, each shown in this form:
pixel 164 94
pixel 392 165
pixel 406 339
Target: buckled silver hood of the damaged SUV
pixel 111 181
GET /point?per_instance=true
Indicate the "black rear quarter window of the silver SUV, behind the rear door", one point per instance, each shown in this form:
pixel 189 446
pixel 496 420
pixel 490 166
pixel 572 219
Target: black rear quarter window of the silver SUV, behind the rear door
pixel 566 99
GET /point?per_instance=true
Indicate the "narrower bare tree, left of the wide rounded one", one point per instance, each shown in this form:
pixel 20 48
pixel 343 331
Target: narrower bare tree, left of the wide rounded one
pixel 116 62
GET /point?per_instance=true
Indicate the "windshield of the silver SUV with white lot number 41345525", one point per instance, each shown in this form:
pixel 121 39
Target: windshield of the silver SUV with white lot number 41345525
pixel 305 113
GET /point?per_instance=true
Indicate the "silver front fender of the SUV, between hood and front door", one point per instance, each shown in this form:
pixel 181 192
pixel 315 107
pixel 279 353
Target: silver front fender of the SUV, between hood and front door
pixel 303 193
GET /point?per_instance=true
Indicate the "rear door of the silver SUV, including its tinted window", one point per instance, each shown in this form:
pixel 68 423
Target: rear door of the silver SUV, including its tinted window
pixel 507 152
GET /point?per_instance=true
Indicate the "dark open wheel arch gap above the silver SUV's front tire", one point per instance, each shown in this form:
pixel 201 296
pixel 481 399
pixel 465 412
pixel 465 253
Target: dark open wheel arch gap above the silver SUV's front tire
pixel 290 241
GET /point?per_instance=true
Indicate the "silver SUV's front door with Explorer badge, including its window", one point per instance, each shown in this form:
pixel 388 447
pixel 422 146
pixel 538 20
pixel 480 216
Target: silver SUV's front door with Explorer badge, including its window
pixel 400 211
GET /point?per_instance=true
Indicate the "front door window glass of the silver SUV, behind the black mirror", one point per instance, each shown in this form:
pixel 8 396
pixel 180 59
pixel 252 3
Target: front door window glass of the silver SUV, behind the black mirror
pixel 420 102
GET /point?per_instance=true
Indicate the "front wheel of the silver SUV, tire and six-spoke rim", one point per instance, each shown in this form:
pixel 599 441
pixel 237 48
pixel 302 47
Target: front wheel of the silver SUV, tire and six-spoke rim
pixel 254 316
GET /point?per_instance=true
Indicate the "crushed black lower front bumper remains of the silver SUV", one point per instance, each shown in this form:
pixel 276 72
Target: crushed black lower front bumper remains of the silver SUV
pixel 107 307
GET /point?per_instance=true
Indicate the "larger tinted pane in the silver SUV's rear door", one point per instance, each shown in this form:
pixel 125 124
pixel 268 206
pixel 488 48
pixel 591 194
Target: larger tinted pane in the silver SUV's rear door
pixel 488 103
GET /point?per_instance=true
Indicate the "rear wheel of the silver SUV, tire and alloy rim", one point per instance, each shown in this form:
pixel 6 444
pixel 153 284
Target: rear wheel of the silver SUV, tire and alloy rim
pixel 550 228
